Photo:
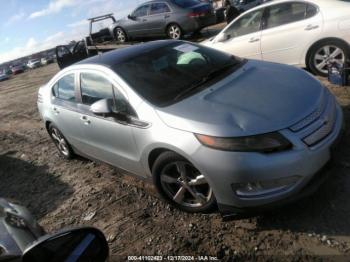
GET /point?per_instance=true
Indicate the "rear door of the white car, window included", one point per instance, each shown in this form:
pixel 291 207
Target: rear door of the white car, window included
pixel 289 29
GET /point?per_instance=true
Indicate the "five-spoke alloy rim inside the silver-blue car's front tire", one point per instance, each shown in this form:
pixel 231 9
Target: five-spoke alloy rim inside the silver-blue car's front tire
pixel 185 185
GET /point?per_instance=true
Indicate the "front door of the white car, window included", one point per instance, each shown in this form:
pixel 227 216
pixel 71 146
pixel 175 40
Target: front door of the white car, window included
pixel 243 36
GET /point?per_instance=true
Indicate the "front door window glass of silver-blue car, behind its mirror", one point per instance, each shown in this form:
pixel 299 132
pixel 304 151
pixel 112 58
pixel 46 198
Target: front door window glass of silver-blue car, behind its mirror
pixel 94 88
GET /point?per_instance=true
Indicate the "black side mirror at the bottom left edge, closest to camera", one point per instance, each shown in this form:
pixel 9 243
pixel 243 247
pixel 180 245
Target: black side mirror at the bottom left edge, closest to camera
pixel 79 244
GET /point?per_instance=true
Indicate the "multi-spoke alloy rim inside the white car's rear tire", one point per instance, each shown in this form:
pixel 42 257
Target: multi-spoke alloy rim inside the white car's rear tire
pixel 328 54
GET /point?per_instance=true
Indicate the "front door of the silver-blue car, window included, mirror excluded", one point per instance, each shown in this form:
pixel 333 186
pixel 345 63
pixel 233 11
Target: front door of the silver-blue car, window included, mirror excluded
pixel 107 138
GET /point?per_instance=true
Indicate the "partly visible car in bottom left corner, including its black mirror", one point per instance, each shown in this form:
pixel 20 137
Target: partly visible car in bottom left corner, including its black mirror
pixel 23 240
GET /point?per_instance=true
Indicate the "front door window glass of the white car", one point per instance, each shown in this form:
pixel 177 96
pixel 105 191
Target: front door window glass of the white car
pixel 247 24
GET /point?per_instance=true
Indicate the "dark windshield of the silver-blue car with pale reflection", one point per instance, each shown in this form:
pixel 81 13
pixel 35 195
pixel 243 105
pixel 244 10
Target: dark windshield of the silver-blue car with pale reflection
pixel 162 74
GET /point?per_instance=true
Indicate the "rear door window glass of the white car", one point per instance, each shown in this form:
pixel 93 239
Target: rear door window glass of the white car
pixel 285 13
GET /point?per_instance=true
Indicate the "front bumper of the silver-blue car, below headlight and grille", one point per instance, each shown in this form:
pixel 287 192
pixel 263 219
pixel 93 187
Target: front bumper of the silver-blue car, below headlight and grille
pixel 226 169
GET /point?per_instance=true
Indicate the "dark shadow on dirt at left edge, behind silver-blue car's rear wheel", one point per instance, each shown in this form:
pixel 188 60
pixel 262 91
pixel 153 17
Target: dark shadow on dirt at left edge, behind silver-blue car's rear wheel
pixel 22 181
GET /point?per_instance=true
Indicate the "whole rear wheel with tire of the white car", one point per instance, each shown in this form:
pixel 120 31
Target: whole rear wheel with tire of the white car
pixel 324 52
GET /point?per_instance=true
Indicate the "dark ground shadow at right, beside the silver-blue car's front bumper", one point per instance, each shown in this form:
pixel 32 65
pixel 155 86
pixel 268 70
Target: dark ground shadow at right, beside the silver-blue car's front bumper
pixel 328 210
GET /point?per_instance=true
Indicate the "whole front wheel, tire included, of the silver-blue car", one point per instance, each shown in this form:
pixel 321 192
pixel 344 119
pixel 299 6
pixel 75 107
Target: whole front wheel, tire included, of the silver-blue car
pixel 187 190
